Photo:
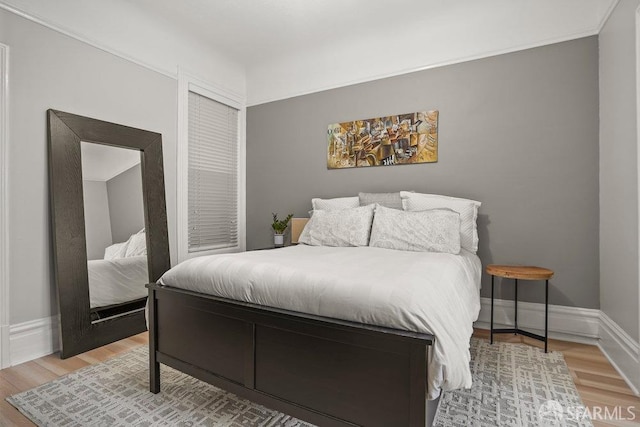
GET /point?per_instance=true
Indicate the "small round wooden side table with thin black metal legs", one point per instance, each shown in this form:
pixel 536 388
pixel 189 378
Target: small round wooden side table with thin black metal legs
pixel 522 273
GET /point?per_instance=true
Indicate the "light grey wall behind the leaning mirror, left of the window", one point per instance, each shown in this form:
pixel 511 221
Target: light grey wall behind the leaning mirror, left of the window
pixel 50 70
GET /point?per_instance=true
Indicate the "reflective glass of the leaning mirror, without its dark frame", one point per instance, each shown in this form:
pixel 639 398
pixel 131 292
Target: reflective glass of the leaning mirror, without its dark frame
pixel 114 227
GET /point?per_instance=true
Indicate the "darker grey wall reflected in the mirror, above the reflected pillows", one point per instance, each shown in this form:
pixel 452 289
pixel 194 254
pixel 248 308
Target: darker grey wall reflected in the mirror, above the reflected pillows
pixel 126 208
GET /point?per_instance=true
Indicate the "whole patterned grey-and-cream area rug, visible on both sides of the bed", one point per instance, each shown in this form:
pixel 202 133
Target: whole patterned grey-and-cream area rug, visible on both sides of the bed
pixel 514 385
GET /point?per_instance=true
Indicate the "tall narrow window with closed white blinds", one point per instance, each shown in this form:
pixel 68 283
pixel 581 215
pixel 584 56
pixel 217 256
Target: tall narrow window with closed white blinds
pixel 211 177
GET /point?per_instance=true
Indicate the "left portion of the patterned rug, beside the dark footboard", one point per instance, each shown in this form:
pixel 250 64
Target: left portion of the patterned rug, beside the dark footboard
pixel 116 393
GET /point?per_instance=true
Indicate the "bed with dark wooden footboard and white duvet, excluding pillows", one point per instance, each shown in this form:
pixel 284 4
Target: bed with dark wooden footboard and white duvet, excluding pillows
pixel 337 336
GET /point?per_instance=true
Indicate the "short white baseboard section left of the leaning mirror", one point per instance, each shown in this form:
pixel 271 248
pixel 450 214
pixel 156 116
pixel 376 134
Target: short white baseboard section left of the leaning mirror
pixel 33 339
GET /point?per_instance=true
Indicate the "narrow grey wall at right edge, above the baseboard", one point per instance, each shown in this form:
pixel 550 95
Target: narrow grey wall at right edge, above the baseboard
pixel 619 169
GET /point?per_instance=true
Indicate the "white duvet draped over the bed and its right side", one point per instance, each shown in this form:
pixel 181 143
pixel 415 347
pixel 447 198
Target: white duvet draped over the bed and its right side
pixel 418 291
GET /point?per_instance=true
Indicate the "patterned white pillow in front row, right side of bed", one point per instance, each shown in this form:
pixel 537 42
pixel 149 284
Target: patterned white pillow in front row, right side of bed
pixel 435 230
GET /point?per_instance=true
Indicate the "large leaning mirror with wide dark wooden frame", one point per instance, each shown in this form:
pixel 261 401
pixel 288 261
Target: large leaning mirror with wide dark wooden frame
pixel 109 227
